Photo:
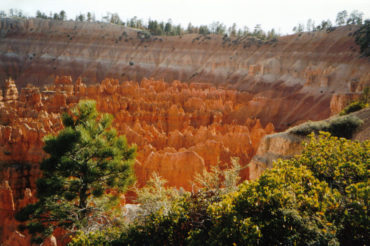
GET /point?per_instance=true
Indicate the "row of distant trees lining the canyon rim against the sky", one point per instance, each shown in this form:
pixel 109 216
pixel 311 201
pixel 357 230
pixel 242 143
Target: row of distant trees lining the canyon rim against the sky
pixel 160 28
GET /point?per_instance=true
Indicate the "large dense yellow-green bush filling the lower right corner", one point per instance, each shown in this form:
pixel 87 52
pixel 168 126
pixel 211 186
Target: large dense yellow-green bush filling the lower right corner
pixel 317 198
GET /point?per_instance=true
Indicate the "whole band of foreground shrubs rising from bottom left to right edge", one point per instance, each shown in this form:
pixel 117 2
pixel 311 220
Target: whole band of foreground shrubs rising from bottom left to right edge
pixel 316 198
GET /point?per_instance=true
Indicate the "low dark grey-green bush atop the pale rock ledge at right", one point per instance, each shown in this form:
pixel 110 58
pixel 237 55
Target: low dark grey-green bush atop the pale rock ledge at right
pixel 342 126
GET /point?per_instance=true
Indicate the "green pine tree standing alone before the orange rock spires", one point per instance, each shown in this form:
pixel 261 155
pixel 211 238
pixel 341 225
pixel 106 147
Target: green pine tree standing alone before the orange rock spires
pixel 85 159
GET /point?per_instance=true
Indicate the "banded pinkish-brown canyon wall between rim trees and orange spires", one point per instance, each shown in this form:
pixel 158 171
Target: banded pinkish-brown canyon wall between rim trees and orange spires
pixel 295 76
